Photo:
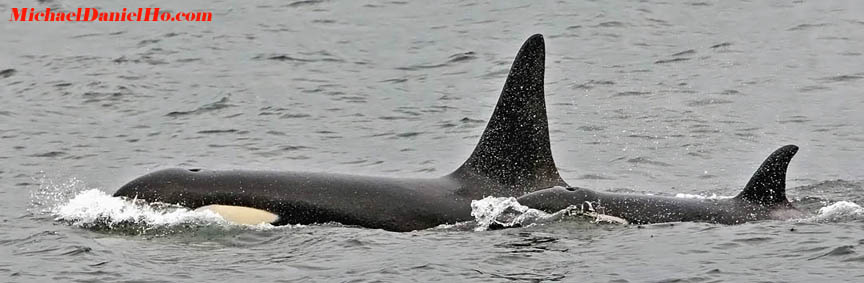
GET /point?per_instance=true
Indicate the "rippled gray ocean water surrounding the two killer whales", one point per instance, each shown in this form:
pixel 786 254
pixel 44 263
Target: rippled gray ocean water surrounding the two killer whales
pixel 671 98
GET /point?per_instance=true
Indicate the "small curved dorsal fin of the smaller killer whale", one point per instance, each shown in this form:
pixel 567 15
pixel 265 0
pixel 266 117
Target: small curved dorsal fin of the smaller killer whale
pixel 768 184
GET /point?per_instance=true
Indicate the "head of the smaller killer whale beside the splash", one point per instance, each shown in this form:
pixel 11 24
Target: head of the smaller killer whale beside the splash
pixel 557 198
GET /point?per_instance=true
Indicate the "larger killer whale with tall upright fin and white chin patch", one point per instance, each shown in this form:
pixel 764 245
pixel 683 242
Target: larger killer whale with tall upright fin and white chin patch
pixel 512 158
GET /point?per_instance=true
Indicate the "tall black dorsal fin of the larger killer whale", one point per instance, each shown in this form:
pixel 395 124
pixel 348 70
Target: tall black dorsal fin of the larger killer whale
pixel 514 149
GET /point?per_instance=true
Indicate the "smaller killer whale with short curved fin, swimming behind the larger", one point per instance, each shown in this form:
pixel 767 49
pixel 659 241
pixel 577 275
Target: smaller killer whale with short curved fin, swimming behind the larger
pixel 763 198
